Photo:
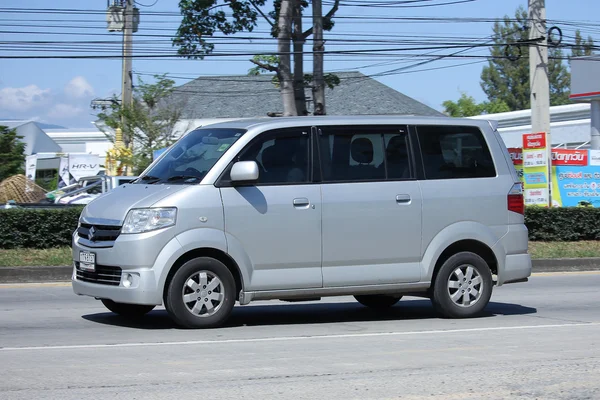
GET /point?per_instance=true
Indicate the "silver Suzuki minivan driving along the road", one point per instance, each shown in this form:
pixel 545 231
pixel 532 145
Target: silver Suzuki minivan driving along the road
pixel 300 208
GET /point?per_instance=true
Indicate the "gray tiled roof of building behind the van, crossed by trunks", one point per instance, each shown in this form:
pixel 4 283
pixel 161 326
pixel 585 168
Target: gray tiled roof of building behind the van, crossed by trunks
pixel 242 96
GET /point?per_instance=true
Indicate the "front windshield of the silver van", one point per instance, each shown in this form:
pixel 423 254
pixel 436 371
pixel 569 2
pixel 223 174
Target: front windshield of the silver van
pixel 191 157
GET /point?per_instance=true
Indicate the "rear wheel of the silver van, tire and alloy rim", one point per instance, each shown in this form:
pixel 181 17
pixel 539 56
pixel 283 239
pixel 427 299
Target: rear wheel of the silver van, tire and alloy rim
pixel 454 295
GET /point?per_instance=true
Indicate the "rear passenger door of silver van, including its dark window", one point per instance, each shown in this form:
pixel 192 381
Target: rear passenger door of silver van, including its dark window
pixel 371 206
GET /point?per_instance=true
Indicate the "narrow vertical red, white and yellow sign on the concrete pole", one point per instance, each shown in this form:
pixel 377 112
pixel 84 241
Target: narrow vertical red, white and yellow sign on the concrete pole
pixel 535 169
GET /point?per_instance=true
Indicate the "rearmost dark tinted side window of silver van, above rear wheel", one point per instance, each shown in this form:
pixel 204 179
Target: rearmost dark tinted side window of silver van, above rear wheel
pixel 454 152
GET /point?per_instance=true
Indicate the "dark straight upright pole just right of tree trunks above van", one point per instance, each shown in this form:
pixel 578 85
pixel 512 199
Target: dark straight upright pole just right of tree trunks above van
pixel 318 48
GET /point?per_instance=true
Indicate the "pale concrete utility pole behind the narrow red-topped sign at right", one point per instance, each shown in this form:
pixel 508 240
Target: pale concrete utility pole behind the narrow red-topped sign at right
pixel 538 79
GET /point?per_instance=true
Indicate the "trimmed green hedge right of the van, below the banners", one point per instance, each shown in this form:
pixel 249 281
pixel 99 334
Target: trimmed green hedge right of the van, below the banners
pixel 566 224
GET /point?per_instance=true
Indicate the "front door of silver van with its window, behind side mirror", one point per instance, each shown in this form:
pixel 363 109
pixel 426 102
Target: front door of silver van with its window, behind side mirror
pixel 277 220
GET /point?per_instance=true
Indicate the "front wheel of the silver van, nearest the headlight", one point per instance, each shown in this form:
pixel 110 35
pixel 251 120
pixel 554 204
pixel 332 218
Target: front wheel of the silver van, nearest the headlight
pixel 209 287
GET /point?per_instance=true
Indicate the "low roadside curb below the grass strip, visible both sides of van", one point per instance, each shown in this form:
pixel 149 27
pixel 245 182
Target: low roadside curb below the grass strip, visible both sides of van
pixel 63 273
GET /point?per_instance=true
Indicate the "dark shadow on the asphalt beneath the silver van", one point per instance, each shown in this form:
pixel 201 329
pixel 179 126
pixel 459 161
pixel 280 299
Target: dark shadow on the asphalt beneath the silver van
pixel 308 313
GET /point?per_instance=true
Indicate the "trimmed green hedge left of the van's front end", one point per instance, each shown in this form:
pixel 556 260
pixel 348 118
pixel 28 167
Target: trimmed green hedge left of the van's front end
pixel 37 228
